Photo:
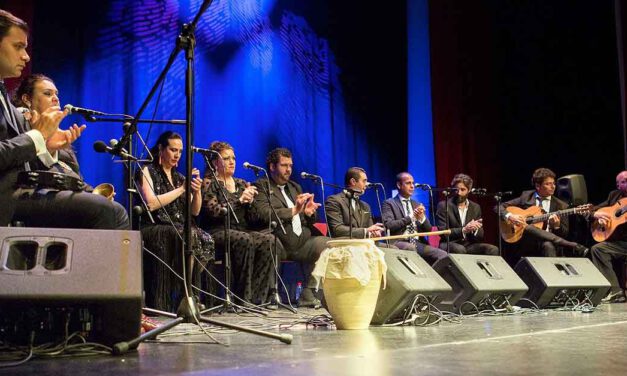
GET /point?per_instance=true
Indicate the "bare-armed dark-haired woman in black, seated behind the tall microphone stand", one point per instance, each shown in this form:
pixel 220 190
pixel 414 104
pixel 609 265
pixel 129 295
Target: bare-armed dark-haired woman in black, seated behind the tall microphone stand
pixel 163 189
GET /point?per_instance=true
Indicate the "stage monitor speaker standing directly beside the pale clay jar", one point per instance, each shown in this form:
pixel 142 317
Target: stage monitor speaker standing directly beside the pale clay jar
pixel 408 275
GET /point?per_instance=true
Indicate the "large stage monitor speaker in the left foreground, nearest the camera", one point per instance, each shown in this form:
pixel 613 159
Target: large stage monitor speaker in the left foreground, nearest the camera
pixel 87 280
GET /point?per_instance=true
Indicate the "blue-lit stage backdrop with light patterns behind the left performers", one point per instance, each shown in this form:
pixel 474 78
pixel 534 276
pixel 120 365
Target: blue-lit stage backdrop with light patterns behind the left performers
pixel 267 75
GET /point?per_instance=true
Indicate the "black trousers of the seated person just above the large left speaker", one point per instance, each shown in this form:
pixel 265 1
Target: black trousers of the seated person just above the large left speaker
pixel 68 209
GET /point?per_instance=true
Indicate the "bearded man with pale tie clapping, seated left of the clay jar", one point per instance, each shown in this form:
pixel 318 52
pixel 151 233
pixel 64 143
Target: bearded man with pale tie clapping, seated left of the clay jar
pixel 297 212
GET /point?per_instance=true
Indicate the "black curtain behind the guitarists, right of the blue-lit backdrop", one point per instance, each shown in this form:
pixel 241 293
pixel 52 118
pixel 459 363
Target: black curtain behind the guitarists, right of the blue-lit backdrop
pixel 521 85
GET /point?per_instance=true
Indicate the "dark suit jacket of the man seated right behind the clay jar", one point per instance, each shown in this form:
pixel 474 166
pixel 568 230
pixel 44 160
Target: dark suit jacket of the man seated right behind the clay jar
pixel 339 220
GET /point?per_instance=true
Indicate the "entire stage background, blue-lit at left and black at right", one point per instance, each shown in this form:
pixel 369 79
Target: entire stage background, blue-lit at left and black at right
pixel 513 85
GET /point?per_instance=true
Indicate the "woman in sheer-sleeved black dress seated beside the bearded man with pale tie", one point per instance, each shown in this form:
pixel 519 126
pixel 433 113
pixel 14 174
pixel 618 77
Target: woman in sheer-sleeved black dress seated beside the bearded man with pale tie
pixel 252 252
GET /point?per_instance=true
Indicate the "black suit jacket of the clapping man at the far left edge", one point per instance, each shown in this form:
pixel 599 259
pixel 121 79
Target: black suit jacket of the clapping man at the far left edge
pixel 16 148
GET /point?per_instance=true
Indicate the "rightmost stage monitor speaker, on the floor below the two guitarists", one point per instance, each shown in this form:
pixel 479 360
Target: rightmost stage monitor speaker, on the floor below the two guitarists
pixel 559 281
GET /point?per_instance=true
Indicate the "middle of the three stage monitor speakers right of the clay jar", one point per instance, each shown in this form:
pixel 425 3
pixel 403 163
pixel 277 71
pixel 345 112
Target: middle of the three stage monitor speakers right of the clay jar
pixel 479 282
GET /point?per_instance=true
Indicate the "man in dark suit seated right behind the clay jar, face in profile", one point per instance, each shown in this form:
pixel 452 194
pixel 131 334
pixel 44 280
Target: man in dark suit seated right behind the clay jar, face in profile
pixel 359 217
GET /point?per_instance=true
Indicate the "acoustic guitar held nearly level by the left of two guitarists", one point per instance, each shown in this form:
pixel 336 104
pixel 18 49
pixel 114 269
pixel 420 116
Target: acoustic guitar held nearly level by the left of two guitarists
pixel 535 216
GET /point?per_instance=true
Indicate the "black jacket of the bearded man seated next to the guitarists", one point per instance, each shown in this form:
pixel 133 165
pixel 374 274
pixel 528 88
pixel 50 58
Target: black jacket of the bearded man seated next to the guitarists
pixel 455 221
